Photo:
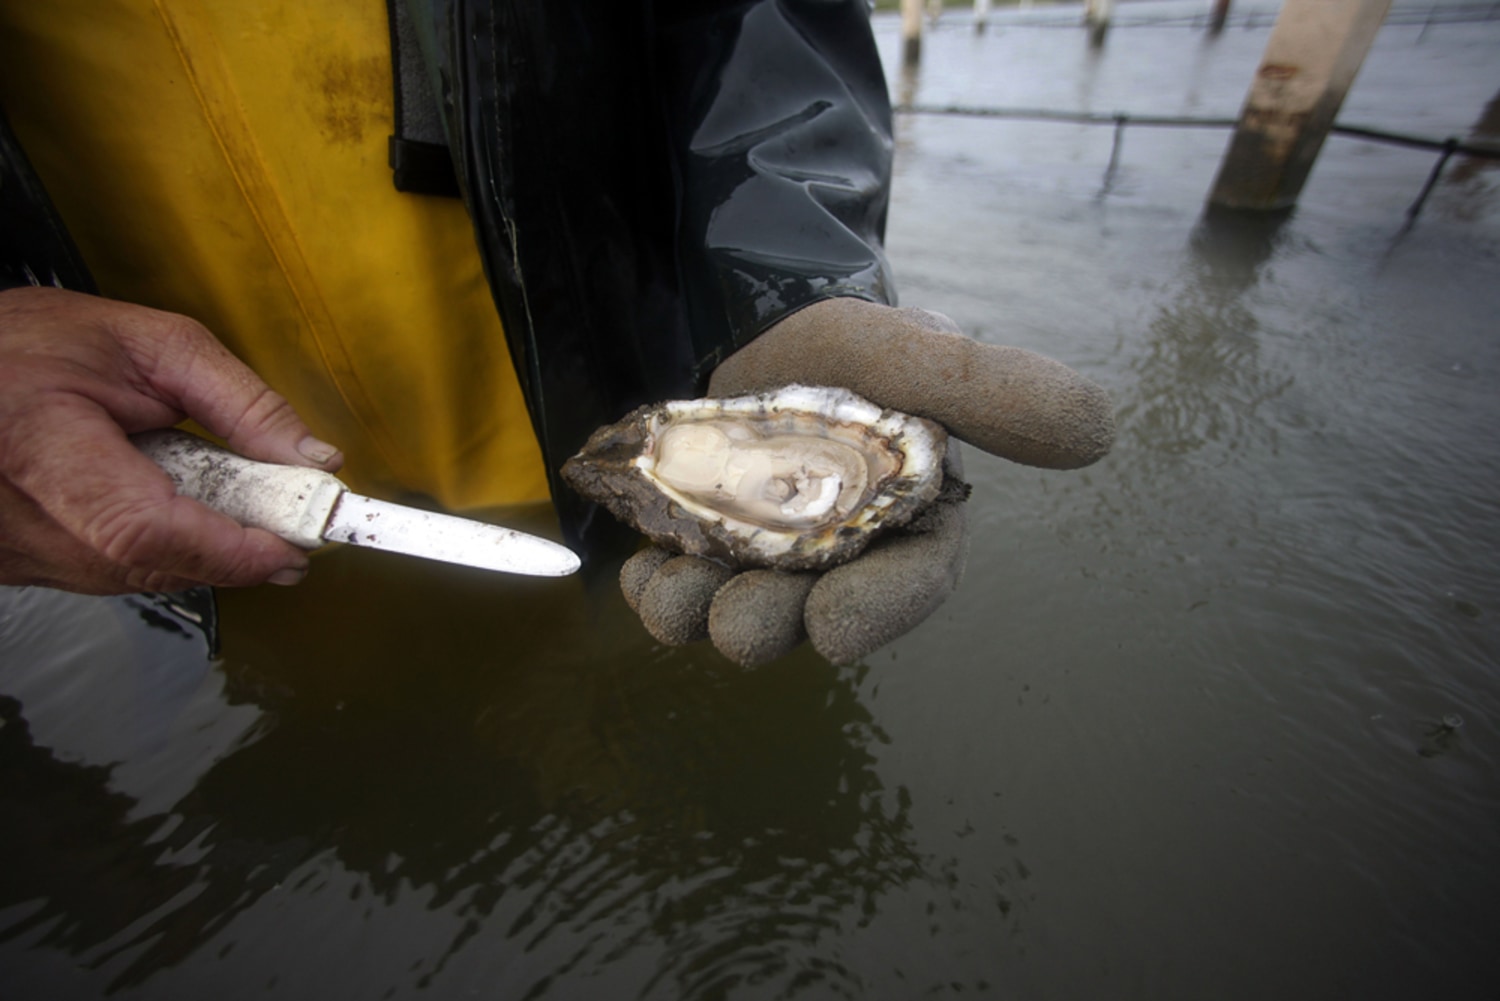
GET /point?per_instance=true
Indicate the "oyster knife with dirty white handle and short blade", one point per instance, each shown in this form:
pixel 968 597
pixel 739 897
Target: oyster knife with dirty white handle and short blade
pixel 308 508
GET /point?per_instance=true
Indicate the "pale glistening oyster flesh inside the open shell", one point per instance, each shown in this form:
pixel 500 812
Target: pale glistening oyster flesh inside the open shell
pixel 778 481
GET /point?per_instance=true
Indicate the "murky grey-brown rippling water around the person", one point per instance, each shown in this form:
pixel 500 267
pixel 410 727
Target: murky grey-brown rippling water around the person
pixel 1217 718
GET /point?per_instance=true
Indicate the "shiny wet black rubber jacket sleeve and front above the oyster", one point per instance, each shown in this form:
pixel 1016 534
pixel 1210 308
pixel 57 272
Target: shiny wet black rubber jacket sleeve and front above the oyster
pixel 656 184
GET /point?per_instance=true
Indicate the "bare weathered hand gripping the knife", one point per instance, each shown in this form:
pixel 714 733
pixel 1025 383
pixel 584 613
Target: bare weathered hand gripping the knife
pixel 80 508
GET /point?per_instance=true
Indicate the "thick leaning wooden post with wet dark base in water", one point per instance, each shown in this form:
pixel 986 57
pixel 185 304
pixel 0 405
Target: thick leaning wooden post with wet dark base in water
pixel 1310 62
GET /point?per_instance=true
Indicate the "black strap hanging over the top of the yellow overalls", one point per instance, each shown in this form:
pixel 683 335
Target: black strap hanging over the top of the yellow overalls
pixel 419 151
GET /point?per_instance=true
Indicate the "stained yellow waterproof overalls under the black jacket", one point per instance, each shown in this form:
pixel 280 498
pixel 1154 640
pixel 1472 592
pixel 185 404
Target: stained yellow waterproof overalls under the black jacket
pixel 227 160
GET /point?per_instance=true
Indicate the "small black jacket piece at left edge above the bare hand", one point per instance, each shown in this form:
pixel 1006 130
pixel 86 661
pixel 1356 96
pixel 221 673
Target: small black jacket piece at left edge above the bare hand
pixel 35 248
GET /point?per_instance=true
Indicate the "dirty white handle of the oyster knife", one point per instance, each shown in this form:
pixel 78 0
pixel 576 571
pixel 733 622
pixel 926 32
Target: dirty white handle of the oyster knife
pixel 292 502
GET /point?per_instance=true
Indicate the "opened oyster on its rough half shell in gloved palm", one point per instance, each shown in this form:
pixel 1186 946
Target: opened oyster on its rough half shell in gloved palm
pixel 802 478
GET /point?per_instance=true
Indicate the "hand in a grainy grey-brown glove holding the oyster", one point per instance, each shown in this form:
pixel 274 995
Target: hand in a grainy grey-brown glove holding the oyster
pixel 1012 403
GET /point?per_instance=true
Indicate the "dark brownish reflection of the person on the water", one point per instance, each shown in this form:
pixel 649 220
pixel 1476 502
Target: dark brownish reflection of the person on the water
pixel 535 793
